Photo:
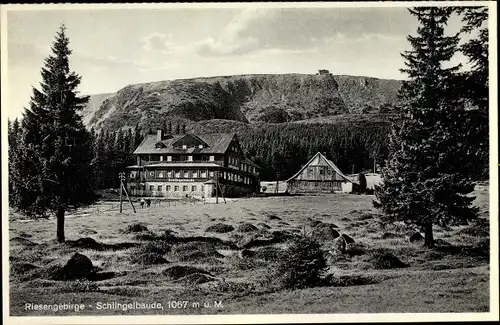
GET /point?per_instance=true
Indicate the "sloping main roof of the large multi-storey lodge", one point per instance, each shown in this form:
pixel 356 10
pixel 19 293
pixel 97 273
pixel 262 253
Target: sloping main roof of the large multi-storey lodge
pixel 218 143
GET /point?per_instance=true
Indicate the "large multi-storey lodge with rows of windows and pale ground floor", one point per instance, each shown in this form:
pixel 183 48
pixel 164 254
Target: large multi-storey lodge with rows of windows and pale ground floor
pixel 187 165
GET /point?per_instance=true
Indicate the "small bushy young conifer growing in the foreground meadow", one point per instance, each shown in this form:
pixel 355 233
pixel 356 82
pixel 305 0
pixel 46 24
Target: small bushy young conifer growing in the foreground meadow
pixel 301 265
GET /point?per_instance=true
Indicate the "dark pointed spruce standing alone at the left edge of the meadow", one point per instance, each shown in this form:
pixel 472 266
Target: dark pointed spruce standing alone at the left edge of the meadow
pixel 53 175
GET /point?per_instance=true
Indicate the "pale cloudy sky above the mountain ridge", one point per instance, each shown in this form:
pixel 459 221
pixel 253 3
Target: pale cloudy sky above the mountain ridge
pixel 113 48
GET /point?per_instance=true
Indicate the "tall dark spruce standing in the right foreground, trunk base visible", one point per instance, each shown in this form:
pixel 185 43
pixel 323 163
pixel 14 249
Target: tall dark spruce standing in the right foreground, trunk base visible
pixel 425 183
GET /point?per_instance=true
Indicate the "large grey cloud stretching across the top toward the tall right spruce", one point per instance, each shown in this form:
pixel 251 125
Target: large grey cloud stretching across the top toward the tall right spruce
pixel 296 30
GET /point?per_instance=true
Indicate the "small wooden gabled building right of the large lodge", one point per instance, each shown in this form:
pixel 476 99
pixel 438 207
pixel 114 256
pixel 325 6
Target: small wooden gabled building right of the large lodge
pixel 320 175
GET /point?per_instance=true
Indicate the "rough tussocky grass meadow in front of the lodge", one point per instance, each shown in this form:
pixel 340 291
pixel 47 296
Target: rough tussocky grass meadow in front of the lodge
pixel 164 254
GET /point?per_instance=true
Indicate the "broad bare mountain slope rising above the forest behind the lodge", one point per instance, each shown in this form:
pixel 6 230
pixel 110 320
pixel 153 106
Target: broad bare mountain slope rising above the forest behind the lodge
pixel 245 98
